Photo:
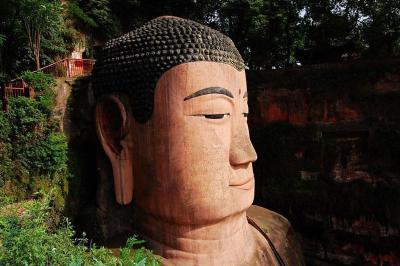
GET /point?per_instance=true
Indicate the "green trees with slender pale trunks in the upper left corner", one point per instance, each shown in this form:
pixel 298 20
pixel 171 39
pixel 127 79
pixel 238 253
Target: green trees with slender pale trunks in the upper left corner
pixel 33 33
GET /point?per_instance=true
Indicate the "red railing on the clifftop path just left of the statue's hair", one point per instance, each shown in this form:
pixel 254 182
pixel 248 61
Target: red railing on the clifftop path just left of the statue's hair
pixel 69 67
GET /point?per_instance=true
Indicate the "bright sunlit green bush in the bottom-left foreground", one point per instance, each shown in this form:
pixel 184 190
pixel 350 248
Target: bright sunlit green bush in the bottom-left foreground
pixel 29 236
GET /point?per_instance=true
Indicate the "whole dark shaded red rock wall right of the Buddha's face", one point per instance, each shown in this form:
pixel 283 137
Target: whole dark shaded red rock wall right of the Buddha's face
pixel 347 121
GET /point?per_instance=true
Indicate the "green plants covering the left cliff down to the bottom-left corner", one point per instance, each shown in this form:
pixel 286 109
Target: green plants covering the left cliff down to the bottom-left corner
pixel 35 176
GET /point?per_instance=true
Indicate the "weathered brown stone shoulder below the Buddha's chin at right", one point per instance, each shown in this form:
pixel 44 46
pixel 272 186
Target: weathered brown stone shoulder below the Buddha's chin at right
pixel 280 232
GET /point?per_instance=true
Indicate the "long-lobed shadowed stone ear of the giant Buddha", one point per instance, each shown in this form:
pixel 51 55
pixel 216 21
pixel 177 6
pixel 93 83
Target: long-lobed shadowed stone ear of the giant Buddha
pixel 113 130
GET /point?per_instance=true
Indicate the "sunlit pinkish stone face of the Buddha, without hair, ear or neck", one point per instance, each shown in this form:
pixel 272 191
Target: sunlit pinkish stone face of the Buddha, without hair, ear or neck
pixel 192 161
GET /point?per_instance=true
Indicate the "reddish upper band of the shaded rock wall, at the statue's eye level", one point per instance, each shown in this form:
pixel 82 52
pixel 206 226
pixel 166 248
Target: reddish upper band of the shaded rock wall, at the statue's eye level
pixel 308 106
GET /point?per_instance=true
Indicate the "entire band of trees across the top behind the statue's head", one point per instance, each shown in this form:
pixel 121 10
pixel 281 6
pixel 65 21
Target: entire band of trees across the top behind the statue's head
pixel 268 33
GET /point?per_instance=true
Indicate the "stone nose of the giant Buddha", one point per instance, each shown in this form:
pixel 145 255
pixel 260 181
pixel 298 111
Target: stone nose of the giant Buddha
pixel 241 149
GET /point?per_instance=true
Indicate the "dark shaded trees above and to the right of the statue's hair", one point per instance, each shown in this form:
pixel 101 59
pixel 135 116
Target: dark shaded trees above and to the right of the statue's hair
pixel 271 33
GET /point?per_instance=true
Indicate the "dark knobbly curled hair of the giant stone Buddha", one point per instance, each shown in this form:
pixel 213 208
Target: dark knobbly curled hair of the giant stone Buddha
pixel 133 63
